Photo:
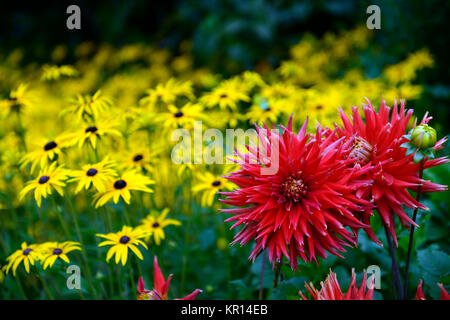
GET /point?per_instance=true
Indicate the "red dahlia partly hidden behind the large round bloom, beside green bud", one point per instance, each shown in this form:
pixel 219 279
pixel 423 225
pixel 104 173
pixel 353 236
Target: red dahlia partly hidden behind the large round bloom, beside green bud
pixel 379 158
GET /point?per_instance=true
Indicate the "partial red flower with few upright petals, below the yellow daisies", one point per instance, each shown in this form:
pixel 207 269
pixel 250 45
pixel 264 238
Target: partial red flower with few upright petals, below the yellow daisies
pixel 161 287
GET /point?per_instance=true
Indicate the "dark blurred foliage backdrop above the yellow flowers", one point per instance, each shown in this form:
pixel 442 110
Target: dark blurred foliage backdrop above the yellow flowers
pixel 235 35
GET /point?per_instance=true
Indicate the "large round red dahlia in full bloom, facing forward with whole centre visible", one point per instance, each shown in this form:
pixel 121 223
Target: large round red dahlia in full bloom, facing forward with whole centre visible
pixel 305 206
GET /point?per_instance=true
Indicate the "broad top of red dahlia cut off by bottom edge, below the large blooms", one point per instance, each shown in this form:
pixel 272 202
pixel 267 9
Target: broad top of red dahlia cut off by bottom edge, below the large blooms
pixel 330 289
